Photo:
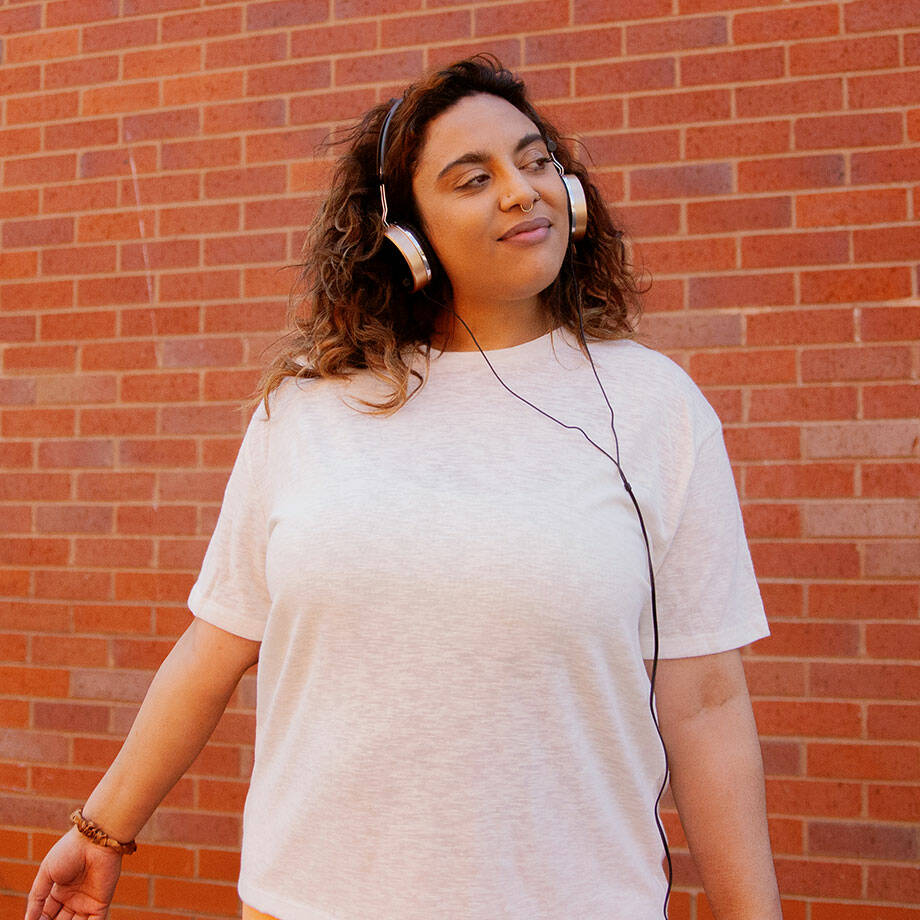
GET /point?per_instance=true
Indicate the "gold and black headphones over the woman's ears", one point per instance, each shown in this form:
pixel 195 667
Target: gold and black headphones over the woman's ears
pixel 416 250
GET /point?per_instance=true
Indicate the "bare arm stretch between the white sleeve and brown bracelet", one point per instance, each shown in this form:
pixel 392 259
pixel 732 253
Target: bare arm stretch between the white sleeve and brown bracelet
pixel 179 713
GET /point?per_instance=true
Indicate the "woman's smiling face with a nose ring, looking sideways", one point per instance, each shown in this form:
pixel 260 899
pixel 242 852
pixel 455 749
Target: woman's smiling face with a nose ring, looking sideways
pixel 482 162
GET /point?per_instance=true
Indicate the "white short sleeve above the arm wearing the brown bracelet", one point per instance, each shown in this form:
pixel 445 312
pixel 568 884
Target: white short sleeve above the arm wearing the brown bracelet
pixel 231 590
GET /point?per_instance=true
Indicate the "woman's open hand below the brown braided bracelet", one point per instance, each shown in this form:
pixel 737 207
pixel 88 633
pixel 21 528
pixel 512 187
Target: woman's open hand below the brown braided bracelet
pixel 75 881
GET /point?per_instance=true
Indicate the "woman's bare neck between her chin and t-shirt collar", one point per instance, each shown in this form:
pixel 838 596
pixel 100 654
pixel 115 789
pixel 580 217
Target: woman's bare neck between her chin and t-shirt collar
pixel 493 325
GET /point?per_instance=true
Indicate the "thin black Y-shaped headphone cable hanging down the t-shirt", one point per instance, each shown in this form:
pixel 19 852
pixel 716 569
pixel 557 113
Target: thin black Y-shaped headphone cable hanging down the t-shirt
pixel 648 552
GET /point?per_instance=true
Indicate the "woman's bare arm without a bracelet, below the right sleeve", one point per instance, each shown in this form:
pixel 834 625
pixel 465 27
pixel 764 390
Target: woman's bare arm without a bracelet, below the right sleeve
pixel 717 781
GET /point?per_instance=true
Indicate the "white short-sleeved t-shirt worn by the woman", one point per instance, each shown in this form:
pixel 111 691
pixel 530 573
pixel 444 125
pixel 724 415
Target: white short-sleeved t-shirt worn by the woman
pixel 454 608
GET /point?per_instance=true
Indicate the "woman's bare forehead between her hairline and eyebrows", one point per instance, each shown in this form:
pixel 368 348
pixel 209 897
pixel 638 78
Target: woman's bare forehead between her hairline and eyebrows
pixel 480 122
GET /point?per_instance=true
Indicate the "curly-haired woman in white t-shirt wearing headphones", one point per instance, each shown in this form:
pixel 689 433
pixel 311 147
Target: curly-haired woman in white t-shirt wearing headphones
pixel 444 576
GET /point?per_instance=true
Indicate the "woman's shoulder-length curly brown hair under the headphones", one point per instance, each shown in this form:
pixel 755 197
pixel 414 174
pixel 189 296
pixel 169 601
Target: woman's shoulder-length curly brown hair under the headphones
pixel 352 306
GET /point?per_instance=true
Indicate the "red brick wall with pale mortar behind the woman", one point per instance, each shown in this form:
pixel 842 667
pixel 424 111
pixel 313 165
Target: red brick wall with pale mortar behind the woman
pixel 158 173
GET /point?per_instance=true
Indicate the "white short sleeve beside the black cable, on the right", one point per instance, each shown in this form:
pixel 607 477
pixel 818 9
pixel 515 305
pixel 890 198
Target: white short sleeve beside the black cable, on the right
pixel 707 595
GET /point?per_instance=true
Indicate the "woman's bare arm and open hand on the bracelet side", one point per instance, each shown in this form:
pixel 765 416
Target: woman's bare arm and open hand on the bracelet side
pixel 180 711
